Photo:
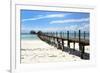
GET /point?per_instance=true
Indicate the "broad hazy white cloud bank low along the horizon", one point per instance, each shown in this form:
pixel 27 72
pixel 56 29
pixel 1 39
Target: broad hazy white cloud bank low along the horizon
pixel 82 27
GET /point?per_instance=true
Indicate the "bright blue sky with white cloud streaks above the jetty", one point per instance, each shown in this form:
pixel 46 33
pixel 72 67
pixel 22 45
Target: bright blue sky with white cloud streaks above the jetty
pixel 53 21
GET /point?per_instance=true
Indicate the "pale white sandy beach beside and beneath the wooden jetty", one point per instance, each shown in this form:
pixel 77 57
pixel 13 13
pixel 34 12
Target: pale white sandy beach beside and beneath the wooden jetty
pixel 37 51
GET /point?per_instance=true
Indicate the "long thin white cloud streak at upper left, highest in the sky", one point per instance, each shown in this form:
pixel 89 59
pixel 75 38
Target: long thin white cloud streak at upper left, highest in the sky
pixel 46 16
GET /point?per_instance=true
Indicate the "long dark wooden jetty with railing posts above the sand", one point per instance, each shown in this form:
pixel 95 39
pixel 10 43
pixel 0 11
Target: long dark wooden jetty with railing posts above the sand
pixel 57 39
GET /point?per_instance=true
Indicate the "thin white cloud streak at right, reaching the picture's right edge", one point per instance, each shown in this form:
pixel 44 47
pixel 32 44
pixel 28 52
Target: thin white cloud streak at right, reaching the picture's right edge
pixel 69 20
